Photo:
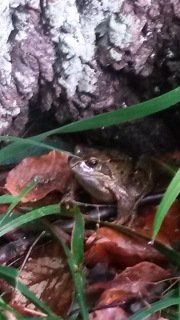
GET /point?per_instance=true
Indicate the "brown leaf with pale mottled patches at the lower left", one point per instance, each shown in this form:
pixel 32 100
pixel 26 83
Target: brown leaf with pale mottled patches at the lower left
pixel 47 275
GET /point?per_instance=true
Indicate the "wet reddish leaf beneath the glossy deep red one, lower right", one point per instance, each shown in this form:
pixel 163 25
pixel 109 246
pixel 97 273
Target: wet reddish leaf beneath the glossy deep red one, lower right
pixel 134 282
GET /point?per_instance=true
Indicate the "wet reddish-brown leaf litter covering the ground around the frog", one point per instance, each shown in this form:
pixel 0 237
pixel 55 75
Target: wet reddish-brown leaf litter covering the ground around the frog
pixel 123 274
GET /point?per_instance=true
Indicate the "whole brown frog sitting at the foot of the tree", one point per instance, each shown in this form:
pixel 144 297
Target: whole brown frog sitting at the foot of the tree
pixel 110 176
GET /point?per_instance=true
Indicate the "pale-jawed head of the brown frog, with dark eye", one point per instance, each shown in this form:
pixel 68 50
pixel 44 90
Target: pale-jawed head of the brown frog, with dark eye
pixel 93 174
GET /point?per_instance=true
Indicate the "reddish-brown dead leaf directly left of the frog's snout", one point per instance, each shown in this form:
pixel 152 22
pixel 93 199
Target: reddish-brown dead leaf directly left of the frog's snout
pixel 52 170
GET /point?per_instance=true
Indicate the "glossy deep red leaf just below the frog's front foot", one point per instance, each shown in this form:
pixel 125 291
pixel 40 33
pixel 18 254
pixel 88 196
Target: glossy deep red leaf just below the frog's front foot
pixel 114 248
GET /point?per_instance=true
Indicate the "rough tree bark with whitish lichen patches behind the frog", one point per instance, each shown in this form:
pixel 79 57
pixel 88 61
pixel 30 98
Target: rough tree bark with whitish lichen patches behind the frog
pixel 85 57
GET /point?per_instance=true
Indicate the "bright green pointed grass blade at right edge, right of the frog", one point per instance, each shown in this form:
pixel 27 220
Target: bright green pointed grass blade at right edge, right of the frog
pixel 169 197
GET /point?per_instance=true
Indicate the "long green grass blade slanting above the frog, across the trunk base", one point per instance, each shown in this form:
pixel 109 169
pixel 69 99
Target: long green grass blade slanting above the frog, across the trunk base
pixel 119 116
